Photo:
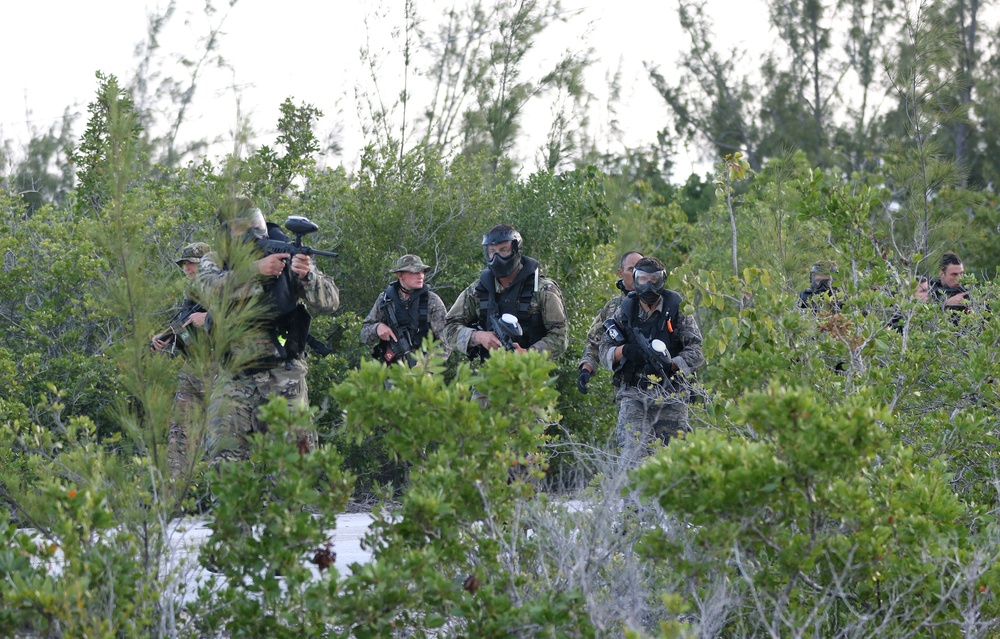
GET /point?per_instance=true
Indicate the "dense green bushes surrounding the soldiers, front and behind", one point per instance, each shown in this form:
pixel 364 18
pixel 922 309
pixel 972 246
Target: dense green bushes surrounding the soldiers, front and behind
pixel 840 480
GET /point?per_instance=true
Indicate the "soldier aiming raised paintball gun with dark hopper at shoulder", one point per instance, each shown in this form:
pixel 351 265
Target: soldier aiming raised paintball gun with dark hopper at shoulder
pixel 288 288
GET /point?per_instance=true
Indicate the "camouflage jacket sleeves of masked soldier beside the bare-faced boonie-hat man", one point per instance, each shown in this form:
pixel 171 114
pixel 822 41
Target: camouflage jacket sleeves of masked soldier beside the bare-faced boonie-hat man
pixel 463 318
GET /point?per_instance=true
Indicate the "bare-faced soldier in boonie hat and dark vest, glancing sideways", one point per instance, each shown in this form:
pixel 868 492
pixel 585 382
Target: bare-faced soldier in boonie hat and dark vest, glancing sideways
pixel 417 310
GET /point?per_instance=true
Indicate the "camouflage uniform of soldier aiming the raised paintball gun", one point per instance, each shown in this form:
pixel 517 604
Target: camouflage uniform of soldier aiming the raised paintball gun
pixel 233 414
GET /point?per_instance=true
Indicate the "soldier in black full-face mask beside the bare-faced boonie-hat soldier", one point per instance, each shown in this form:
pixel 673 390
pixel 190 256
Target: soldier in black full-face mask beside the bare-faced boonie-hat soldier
pixel 511 284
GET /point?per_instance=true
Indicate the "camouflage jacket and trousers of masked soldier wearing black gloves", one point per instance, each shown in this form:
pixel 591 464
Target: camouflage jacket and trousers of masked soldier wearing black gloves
pixel 648 410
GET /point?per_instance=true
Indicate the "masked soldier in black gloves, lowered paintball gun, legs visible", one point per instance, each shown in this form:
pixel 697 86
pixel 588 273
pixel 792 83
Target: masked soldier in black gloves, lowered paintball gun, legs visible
pixel 652 391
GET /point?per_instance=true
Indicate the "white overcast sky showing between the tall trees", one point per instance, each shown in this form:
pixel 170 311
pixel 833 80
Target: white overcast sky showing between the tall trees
pixel 308 49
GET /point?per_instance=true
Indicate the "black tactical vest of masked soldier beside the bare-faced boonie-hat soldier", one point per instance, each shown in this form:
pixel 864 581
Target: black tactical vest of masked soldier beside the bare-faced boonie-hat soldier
pixel 516 300
